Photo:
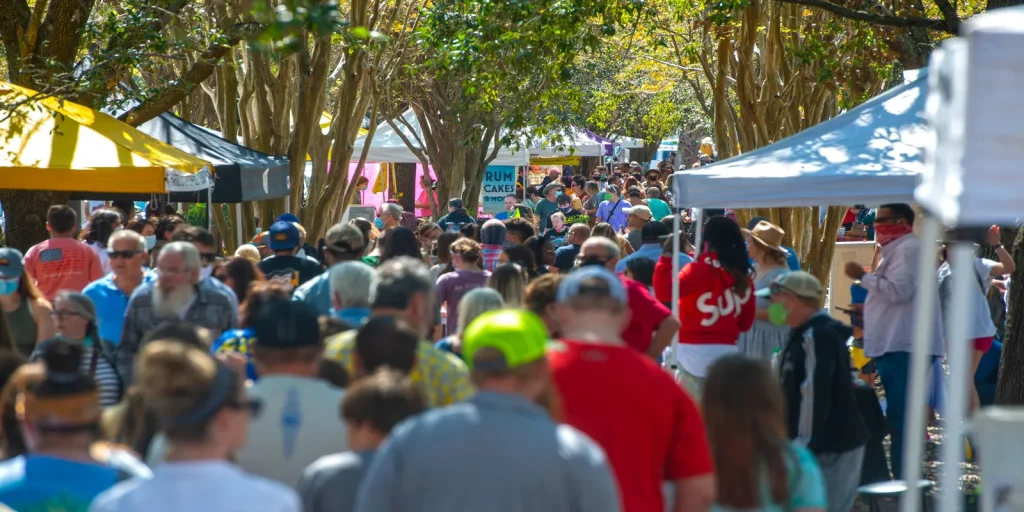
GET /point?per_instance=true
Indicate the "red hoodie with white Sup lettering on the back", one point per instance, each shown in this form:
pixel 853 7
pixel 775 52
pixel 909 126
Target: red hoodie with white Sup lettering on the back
pixel 710 311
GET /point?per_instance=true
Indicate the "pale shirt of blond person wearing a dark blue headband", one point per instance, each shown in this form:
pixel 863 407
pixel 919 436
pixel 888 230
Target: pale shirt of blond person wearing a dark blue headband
pixel 198 487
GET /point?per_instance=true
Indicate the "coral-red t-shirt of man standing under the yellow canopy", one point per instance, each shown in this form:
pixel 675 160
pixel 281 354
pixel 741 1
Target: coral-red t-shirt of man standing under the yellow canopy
pixel 62 265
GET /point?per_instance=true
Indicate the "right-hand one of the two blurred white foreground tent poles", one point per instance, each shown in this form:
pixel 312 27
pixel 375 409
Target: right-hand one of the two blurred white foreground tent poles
pixel 953 442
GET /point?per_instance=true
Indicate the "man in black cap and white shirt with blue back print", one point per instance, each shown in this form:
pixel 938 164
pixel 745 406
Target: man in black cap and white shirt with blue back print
pixel 300 422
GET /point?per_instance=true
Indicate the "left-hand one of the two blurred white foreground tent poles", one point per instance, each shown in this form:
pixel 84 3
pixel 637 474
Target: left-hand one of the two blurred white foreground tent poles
pixel 921 358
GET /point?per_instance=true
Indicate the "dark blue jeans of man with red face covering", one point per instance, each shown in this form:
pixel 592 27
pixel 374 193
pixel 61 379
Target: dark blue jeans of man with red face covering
pixel 894 370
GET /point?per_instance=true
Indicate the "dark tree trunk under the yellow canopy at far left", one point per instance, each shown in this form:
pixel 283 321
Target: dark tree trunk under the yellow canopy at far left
pixel 26 217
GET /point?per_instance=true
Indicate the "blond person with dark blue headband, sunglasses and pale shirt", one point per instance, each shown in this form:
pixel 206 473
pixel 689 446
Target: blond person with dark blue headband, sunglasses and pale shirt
pixel 204 411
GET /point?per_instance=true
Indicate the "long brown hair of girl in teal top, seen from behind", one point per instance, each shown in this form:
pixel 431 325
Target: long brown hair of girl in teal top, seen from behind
pixel 744 413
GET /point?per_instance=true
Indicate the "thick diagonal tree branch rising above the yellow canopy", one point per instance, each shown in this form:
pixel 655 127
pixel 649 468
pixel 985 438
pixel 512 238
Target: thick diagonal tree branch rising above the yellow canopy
pixel 199 72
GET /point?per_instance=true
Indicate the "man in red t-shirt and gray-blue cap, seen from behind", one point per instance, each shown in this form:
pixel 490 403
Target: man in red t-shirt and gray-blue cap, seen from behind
pixel 649 439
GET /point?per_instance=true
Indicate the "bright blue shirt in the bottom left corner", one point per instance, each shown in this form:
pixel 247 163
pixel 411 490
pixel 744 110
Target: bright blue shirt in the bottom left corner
pixel 31 484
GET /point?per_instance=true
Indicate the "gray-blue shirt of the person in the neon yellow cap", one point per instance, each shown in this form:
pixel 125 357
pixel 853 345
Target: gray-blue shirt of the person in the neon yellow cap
pixel 495 452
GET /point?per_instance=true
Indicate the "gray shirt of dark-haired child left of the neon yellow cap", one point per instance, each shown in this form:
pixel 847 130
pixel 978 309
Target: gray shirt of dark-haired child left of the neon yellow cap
pixel 330 484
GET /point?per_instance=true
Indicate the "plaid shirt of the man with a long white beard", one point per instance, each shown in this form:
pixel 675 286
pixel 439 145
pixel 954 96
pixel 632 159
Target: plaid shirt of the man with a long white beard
pixel 211 310
